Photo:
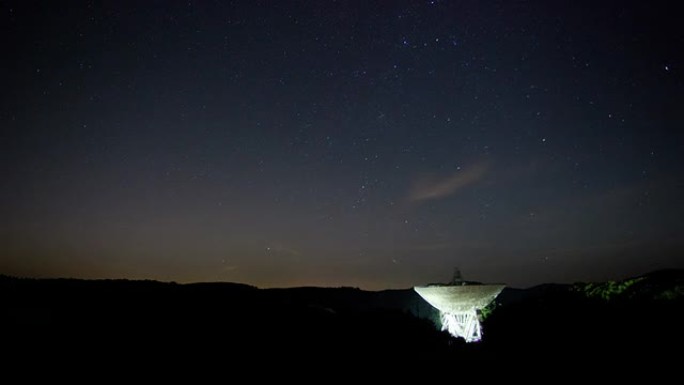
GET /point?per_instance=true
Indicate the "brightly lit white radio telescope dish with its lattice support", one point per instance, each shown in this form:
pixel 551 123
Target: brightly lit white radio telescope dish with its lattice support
pixel 459 306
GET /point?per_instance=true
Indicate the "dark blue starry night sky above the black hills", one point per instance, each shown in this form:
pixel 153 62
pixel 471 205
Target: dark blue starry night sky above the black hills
pixel 349 143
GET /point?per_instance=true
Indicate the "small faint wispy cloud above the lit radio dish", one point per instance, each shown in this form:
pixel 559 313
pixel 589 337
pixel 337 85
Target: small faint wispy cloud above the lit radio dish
pixel 439 188
